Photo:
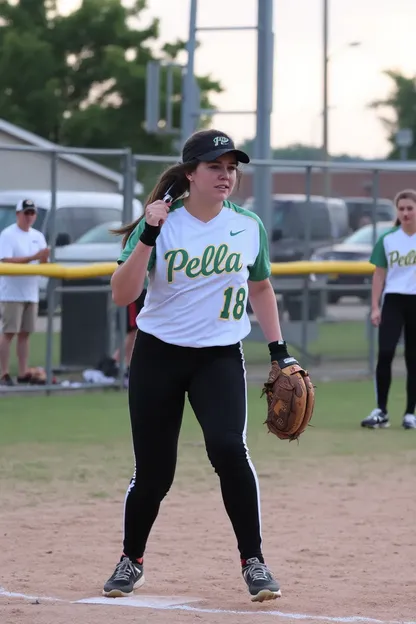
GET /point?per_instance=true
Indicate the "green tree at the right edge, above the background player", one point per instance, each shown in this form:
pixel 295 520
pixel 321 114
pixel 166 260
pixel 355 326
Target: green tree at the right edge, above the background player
pixel 401 105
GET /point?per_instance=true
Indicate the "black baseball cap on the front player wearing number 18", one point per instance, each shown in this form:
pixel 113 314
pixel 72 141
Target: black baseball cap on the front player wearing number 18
pixel 208 145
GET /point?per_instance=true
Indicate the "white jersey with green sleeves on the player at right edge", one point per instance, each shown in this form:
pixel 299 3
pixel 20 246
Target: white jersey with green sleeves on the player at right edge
pixel 396 252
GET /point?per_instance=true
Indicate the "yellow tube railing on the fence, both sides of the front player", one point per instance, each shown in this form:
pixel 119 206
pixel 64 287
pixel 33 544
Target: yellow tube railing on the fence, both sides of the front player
pixel 101 269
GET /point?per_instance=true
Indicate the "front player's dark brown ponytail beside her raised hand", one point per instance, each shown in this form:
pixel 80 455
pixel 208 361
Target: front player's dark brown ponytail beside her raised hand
pixel 173 179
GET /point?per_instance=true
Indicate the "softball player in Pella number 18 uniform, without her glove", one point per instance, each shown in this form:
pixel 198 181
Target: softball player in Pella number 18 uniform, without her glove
pixel 204 256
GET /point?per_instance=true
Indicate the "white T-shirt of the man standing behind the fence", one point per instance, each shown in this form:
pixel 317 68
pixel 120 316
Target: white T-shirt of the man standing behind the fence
pixel 15 243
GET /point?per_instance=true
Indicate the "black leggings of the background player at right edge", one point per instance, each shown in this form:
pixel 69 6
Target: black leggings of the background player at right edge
pixel 398 313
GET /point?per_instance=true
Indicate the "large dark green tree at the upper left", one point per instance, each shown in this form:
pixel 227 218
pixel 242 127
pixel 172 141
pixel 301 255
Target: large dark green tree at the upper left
pixel 80 79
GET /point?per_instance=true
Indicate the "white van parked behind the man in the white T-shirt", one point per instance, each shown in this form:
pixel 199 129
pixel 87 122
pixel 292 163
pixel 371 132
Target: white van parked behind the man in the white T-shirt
pixel 76 212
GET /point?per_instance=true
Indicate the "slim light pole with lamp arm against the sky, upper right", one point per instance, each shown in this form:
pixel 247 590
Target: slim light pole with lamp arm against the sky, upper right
pixel 325 113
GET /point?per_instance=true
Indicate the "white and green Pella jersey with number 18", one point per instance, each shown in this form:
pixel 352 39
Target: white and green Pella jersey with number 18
pixel 198 272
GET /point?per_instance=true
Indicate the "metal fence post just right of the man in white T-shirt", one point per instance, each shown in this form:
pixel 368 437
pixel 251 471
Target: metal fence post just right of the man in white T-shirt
pixel 51 281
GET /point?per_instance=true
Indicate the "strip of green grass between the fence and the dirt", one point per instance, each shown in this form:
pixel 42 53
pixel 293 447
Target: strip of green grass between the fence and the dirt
pixel 38 431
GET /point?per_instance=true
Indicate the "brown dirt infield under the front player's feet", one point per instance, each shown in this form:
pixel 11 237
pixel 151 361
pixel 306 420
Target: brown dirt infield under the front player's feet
pixel 342 544
